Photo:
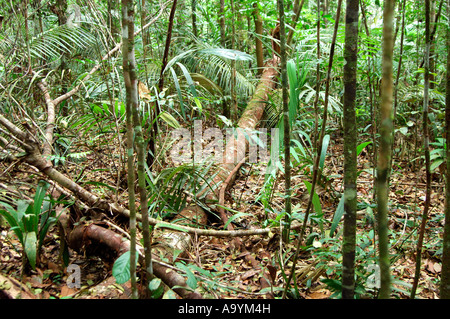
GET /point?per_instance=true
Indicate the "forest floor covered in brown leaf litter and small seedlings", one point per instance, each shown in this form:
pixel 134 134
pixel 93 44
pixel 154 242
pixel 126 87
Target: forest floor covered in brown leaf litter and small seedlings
pixel 223 273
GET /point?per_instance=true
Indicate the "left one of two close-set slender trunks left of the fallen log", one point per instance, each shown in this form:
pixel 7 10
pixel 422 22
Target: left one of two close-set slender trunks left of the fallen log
pixel 131 95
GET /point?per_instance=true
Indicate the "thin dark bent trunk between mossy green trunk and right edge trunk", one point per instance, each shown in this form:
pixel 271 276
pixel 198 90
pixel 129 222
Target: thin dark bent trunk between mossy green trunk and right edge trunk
pixel 426 148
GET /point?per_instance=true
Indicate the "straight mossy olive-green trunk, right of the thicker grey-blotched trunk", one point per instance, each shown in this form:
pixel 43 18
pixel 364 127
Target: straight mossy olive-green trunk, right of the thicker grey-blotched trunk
pixel 385 149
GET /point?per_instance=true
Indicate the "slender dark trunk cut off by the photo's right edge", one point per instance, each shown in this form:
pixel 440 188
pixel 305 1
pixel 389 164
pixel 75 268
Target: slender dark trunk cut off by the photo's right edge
pixel 445 274
